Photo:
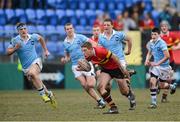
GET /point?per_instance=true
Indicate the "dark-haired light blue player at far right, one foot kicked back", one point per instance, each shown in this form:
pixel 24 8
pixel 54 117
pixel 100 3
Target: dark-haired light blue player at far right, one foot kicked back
pixel 160 70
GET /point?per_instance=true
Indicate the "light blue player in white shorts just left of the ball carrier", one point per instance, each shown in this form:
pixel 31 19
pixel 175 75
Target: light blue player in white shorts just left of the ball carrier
pixel 72 46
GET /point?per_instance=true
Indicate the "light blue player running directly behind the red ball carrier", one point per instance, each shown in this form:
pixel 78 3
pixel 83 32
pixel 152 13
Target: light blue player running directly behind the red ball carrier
pixel 115 41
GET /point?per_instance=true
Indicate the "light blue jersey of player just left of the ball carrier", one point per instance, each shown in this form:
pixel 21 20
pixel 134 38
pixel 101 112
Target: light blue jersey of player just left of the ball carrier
pixel 74 47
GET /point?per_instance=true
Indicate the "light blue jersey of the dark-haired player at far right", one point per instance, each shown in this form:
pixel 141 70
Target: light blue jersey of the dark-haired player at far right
pixel 157 48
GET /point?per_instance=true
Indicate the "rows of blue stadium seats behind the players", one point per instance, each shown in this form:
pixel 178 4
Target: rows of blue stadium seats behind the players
pixel 49 16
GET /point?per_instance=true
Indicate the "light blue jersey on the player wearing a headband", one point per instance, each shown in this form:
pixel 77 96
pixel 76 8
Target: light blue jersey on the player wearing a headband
pixel 27 52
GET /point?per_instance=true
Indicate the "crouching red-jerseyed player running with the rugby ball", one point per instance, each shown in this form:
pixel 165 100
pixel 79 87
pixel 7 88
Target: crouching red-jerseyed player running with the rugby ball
pixel 111 68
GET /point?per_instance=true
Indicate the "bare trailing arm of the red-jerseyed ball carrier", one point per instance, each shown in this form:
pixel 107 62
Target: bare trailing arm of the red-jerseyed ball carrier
pixel 124 71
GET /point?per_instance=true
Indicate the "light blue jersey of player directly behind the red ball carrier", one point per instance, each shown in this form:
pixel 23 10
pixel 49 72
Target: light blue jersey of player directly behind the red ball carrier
pixel 115 44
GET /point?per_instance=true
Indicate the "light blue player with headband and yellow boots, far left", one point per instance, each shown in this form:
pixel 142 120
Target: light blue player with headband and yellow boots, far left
pixel 24 46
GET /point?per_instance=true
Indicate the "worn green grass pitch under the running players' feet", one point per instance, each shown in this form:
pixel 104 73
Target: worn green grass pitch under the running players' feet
pixel 76 105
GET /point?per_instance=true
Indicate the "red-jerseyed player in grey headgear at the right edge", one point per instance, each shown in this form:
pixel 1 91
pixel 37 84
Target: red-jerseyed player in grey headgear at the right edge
pixel 172 40
